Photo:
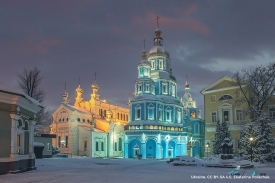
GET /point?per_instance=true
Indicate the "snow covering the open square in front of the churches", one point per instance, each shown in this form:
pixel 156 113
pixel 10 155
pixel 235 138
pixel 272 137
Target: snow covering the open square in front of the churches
pixel 97 170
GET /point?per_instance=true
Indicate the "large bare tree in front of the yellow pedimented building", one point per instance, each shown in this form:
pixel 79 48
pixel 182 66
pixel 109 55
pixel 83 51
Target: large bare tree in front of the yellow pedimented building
pixel 261 81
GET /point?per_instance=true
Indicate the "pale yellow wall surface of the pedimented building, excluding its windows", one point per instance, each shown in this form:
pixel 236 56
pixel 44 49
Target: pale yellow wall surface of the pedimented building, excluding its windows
pixel 218 106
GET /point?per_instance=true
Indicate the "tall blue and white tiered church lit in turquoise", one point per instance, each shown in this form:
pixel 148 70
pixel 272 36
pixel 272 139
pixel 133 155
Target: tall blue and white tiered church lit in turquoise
pixel 160 125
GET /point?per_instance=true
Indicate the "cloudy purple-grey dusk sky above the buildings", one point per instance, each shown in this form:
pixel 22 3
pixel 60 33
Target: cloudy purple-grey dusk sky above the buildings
pixel 69 39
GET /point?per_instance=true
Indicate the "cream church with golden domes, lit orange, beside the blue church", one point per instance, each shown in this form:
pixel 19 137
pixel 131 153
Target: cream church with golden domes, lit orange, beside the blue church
pixel 93 128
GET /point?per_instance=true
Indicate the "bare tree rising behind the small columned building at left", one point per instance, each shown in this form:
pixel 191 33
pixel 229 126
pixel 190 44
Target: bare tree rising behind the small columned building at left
pixel 29 81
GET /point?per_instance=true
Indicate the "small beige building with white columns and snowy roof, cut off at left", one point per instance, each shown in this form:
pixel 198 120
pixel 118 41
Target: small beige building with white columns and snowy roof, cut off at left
pixel 17 119
